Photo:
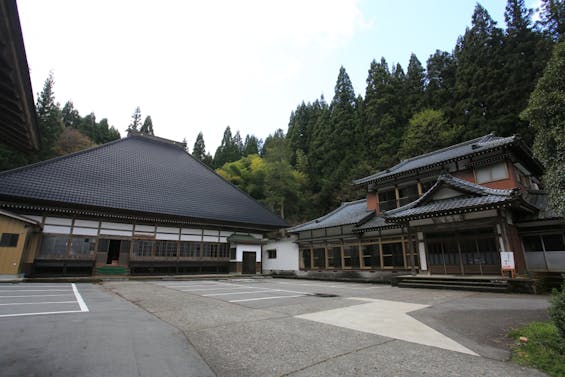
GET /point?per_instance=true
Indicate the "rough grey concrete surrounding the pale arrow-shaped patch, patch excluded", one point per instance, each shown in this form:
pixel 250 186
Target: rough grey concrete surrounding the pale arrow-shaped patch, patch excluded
pixel 266 339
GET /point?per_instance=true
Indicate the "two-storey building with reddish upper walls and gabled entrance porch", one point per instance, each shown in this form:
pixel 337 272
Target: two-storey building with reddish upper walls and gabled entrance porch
pixel 451 211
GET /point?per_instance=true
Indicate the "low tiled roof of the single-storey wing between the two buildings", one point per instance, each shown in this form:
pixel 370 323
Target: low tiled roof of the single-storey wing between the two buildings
pixel 347 213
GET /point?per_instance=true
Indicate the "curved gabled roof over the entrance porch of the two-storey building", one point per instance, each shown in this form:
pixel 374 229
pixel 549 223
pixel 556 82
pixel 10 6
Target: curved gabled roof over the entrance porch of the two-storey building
pixel 471 197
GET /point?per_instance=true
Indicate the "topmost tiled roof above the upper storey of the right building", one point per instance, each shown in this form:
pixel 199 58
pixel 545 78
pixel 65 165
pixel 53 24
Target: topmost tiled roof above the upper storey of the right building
pixel 470 147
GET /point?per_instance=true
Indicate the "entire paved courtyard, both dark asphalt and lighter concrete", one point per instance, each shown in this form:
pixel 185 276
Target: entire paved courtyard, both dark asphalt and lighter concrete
pixel 257 327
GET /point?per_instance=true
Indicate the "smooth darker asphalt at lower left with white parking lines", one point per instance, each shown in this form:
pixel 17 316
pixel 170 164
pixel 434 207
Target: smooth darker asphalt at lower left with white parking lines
pixel 114 338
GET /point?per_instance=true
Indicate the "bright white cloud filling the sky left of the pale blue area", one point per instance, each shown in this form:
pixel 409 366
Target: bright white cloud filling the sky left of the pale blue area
pixel 193 66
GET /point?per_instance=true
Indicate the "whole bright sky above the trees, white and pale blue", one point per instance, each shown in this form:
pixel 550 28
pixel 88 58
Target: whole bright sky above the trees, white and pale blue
pixel 199 66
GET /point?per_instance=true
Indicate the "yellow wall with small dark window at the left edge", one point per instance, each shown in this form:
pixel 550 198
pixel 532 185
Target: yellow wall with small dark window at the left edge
pixel 12 259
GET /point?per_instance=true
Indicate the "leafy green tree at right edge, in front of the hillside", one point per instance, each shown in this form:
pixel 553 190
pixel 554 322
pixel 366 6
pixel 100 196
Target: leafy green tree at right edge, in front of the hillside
pixel 546 114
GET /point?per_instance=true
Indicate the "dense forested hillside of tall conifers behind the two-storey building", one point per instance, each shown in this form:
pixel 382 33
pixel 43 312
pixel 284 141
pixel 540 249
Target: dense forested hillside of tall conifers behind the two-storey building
pixel 481 86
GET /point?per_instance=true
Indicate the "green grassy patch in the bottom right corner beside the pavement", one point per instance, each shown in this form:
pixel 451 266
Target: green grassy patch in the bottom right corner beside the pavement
pixel 544 350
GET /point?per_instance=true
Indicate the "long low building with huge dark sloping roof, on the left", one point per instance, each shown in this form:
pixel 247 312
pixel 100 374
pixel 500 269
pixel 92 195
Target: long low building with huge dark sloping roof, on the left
pixel 138 205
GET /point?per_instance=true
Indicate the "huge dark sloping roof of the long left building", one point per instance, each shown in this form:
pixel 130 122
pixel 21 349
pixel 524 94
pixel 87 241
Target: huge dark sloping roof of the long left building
pixel 140 174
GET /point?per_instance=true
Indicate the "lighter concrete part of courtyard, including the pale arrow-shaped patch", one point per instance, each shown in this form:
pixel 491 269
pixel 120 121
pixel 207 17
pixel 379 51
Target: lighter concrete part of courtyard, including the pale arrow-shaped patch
pixel 279 327
